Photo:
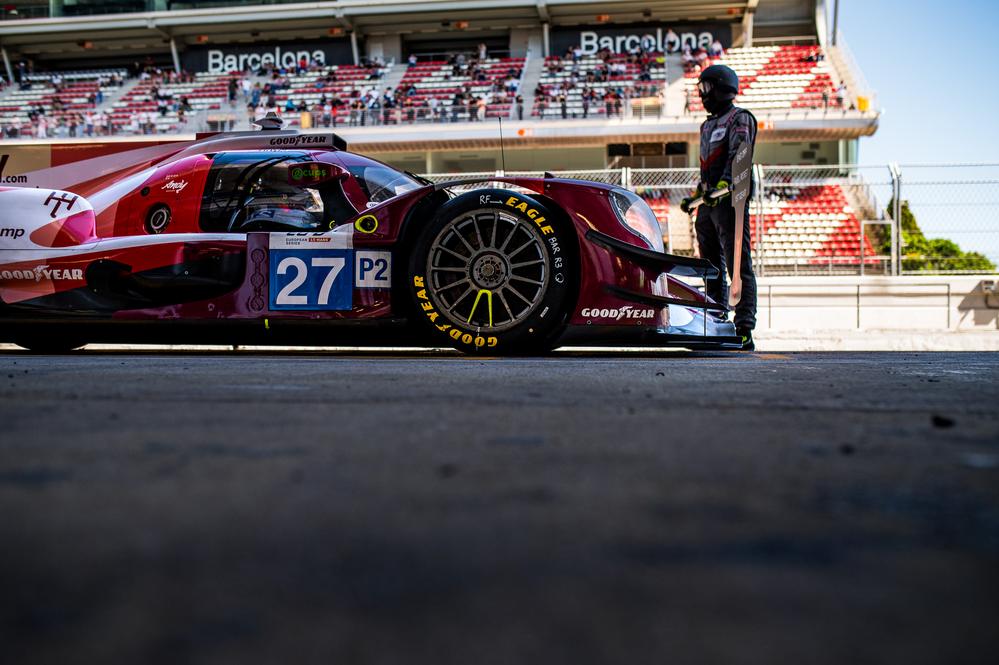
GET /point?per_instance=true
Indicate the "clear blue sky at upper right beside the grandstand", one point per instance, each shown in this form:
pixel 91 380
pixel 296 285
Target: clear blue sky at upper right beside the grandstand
pixel 935 67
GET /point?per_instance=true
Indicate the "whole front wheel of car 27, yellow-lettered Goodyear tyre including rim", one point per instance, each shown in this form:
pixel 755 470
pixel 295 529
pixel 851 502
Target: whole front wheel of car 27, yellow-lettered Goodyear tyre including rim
pixel 494 272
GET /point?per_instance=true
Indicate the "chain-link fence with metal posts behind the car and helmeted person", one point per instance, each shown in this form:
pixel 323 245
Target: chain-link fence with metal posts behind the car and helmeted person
pixel 838 219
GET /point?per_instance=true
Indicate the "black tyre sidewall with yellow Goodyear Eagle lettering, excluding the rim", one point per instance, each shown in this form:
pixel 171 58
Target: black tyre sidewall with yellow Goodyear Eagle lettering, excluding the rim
pixel 535 333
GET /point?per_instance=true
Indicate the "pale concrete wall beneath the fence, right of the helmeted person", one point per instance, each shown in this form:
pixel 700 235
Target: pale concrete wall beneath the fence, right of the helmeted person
pixel 928 303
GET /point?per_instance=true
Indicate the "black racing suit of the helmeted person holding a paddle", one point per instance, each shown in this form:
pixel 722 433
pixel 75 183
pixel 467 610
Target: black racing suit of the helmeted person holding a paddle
pixel 721 136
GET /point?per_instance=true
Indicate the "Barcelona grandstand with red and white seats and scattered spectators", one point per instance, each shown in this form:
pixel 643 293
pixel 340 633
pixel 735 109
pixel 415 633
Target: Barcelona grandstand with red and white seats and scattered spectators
pixel 592 85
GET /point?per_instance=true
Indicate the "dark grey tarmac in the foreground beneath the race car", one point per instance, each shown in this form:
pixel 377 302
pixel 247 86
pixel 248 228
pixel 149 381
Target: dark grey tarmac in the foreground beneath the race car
pixel 430 508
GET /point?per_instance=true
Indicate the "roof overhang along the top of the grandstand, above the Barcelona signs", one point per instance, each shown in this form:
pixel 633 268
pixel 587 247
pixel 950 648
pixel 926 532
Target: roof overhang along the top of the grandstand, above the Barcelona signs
pixel 142 33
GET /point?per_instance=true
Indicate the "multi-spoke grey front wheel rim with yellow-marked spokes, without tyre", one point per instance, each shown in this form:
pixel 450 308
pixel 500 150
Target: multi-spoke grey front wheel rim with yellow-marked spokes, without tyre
pixel 488 269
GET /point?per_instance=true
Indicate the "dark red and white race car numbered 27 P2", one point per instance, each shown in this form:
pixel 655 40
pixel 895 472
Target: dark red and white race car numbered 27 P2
pixel 280 237
